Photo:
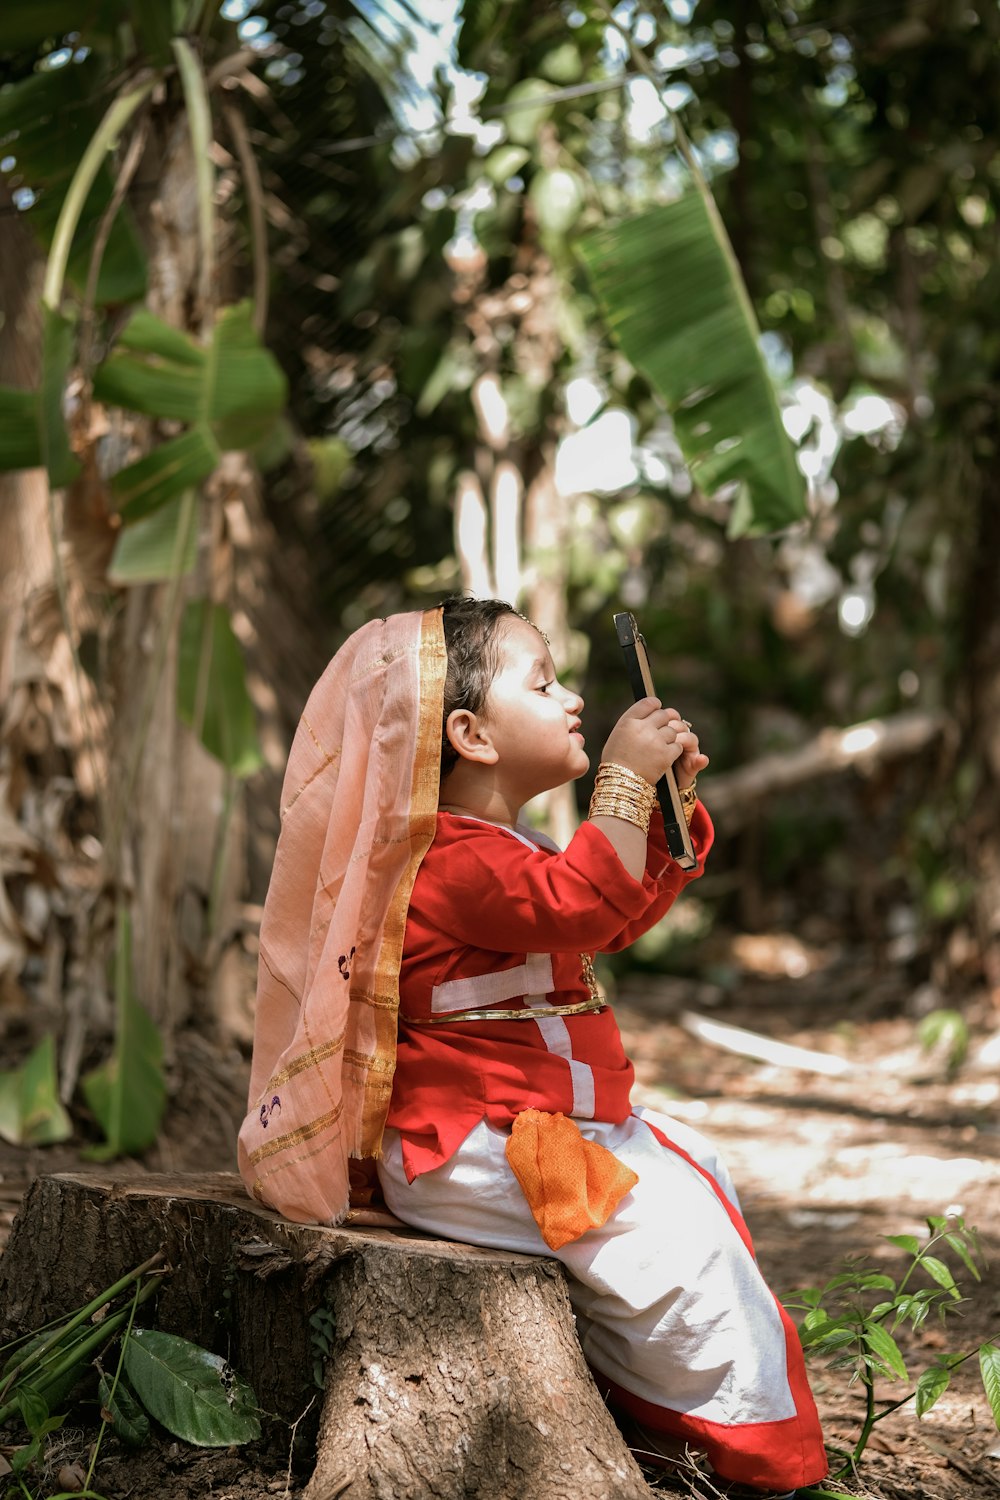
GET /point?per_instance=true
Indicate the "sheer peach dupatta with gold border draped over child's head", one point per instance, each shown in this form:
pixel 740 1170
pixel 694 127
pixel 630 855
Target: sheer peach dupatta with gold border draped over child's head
pixel 359 812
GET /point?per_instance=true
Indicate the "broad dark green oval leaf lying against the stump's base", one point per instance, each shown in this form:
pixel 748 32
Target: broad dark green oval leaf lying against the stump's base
pixel 194 1394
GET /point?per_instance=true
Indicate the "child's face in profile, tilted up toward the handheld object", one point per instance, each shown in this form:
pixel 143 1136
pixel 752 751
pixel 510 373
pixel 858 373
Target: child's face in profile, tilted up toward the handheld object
pixel 533 721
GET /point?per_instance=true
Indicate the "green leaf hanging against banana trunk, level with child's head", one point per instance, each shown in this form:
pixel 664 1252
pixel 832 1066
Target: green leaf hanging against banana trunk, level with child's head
pixel 212 697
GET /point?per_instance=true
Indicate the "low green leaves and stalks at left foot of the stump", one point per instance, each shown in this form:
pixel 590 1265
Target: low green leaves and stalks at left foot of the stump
pixel 190 1391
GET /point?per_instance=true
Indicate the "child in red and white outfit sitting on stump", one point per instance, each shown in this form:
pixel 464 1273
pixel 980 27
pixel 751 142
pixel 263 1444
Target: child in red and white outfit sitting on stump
pixel 428 998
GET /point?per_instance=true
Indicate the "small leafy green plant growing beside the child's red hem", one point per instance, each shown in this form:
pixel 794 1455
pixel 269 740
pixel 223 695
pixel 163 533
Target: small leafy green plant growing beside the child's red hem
pixel 854 1321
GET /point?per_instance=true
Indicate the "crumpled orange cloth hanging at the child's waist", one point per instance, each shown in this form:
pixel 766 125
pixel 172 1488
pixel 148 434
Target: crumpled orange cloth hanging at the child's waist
pixel 570 1184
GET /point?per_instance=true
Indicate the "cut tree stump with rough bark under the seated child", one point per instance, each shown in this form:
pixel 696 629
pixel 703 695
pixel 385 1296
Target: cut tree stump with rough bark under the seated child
pixel 452 1373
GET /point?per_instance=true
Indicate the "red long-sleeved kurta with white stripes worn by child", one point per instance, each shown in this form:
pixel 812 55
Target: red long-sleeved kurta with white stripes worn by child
pixel 497 922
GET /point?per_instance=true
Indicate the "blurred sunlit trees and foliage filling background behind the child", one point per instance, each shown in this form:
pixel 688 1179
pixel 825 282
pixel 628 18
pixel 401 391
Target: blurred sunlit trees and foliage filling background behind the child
pixel 458 415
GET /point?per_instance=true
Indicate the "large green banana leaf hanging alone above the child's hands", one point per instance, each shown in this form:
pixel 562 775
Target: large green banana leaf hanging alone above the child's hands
pixel 675 302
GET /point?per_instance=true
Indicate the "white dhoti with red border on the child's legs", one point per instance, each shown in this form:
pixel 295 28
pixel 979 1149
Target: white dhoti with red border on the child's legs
pixel 674 1315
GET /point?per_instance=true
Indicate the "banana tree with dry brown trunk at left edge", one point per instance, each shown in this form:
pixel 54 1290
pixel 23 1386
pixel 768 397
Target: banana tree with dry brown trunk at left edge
pixel 152 386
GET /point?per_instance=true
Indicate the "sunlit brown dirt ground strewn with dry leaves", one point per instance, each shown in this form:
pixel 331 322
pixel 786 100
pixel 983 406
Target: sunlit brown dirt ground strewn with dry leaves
pixel 828 1163
